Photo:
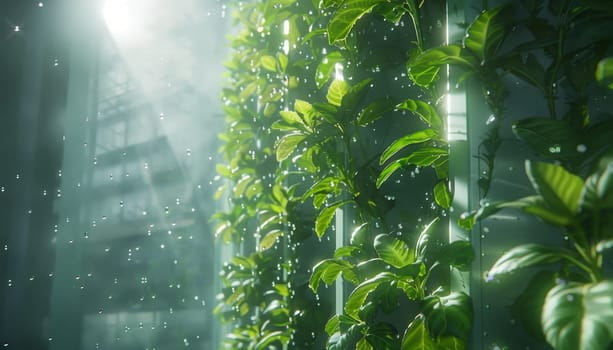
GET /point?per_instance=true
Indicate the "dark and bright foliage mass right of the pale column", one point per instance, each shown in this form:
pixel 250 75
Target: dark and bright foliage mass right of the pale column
pixel 559 49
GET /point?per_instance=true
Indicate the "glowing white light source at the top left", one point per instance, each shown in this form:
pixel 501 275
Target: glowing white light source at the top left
pixel 121 17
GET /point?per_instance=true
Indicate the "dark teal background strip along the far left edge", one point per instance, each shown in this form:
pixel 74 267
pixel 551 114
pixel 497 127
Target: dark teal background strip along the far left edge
pixel 33 82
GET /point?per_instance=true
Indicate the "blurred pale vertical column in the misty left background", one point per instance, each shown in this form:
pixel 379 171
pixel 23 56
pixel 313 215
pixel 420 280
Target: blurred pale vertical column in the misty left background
pixel 65 311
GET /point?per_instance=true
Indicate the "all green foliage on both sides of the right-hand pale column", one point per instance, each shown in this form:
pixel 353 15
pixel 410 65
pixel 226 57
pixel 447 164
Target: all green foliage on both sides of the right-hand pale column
pixel 332 104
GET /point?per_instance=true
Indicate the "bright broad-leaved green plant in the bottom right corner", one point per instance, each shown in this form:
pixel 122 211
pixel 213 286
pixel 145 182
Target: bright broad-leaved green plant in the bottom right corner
pixel 577 311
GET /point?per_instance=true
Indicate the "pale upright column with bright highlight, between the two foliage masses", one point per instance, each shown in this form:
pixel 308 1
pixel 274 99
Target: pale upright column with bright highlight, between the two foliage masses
pixel 463 166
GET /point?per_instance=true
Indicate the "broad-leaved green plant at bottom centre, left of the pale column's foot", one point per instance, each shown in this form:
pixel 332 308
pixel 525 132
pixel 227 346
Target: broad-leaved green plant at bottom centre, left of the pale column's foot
pixel 397 271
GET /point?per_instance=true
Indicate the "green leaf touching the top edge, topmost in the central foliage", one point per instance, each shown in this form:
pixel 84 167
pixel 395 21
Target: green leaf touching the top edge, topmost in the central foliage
pixel 346 16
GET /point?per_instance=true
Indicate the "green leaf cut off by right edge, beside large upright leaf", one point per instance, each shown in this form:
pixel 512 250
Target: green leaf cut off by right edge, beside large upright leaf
pixel 597 192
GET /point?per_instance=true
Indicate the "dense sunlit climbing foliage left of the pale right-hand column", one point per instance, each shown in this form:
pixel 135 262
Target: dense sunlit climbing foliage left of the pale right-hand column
pixel 324 121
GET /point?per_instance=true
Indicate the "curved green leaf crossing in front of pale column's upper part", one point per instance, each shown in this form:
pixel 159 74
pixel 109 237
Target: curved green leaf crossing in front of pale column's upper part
pixel 424 69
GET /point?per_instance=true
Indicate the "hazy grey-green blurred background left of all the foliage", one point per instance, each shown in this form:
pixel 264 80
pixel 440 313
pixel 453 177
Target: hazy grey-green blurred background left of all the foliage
pixel 109 114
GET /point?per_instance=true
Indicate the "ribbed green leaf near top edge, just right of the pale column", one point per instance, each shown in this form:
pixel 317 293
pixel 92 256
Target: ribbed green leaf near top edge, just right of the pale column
pixel 486 33
